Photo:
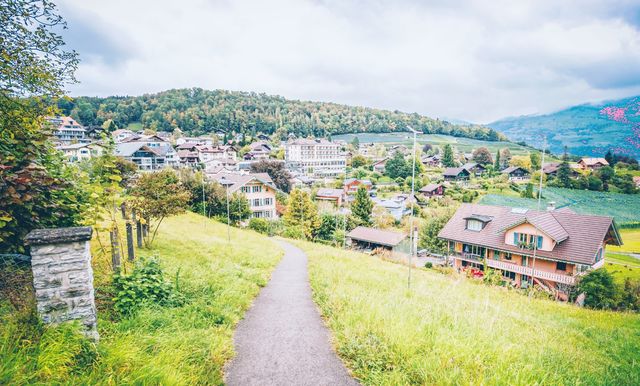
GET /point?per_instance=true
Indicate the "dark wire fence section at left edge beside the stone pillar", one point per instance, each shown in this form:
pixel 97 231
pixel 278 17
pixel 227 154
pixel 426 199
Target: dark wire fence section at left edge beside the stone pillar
pixel 16 281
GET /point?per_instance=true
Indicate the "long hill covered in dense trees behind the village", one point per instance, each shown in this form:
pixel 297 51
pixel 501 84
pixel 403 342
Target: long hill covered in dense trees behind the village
pixel 197 111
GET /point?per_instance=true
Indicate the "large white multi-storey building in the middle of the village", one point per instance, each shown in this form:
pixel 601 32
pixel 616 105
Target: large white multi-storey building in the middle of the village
pixel 315 157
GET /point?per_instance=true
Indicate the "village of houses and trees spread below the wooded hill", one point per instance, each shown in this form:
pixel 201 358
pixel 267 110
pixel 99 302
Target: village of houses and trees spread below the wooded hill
pixel 534 248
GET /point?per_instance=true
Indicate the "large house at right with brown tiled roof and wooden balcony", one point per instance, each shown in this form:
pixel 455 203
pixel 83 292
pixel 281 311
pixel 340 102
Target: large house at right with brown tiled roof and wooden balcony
pixel 549 249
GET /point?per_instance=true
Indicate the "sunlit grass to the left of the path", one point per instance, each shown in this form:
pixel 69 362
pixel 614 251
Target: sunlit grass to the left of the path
pixel 188 344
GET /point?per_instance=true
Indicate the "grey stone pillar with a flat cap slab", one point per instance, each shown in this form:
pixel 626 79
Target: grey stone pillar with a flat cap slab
pixel 62 276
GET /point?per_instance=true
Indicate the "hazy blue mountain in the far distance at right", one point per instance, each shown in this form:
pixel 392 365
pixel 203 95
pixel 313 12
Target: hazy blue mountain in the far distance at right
pixel 588 129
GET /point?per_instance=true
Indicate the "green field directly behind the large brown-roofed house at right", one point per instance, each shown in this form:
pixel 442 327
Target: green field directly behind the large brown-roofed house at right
pixel 625 208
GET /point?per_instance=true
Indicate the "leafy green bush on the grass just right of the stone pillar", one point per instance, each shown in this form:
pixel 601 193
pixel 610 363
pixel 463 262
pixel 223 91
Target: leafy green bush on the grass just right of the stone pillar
pixel 145 285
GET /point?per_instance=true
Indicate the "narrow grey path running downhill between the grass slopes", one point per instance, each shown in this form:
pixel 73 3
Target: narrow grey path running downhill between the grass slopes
pixel 282 340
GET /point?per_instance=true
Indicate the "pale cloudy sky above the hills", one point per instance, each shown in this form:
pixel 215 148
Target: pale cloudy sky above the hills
pixel 464 59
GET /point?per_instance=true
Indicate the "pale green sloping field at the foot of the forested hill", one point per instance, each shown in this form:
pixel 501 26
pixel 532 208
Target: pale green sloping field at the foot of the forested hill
pixel 465 145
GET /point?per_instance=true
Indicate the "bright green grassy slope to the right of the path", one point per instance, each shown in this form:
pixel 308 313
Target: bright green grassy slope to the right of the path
pixel 448 330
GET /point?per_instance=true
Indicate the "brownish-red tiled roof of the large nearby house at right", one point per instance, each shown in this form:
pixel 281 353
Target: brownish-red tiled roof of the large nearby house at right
pixel 578 236
